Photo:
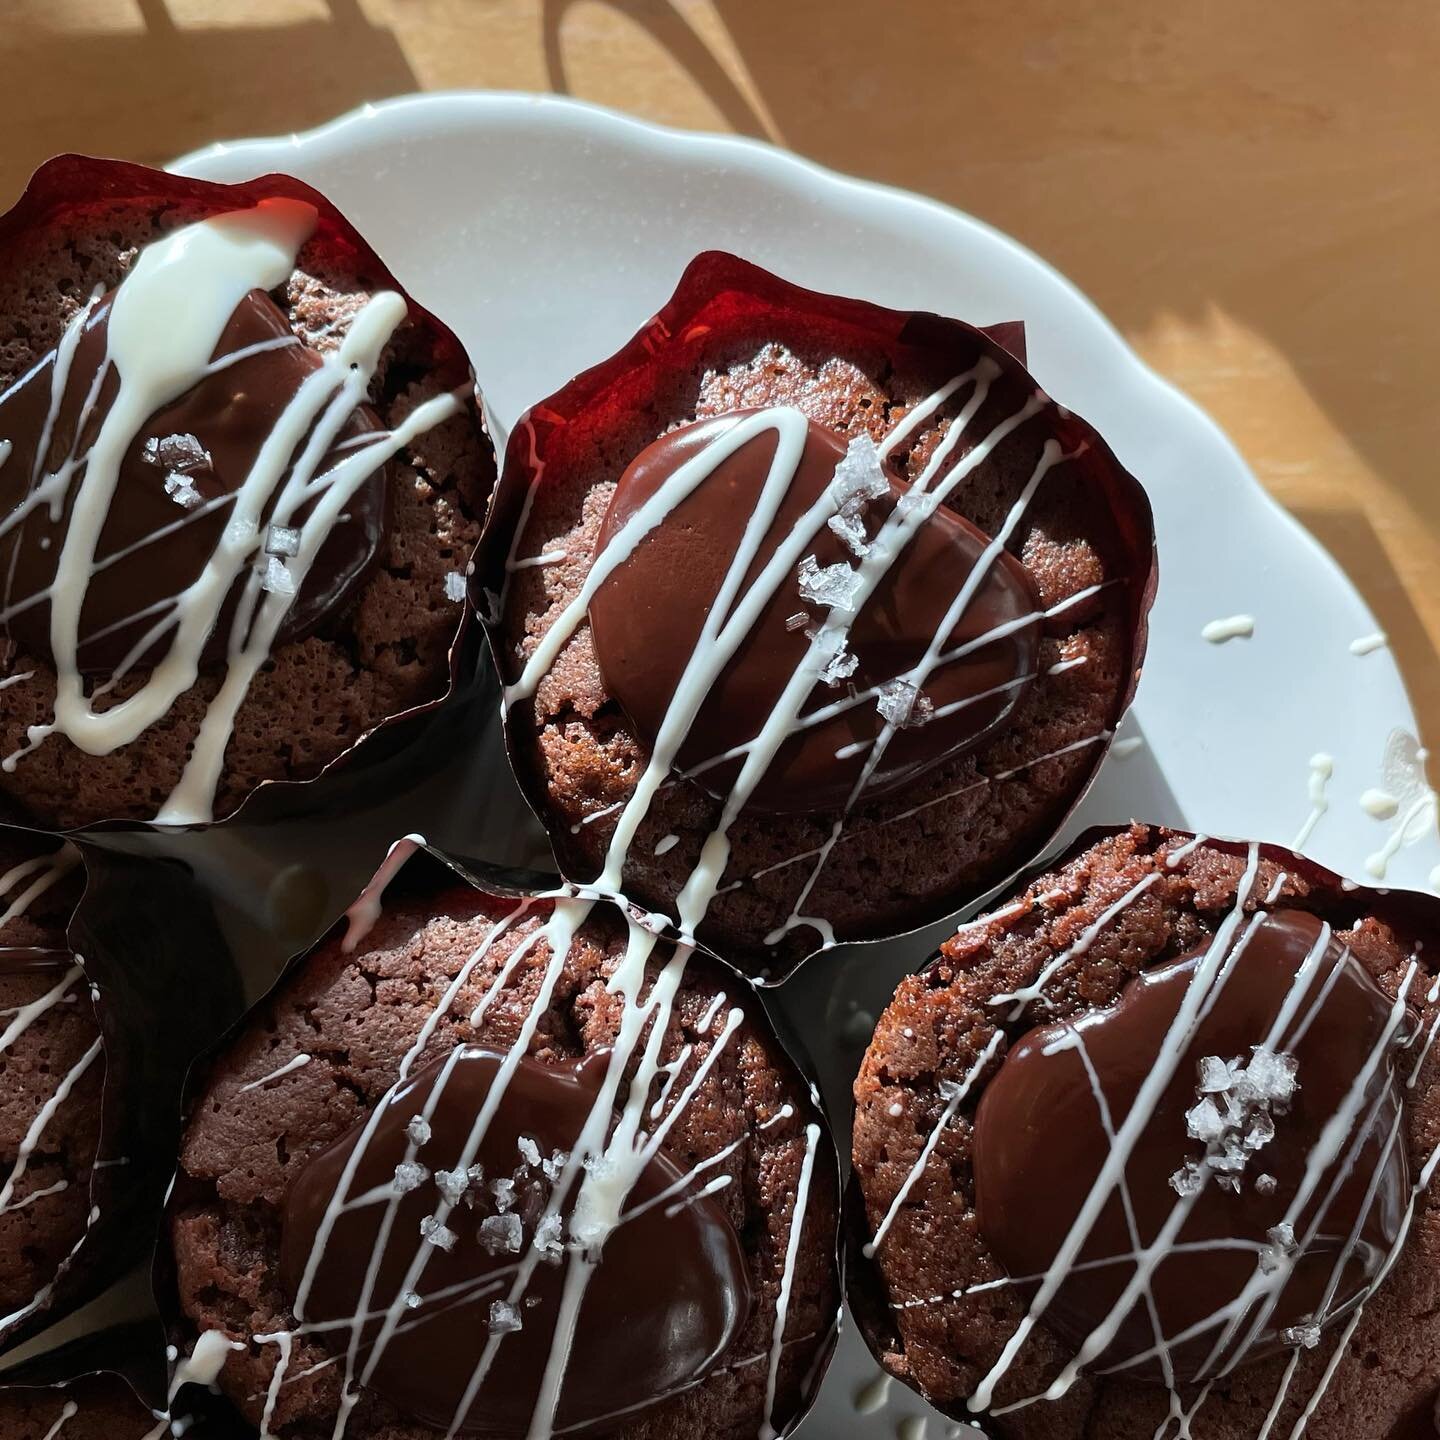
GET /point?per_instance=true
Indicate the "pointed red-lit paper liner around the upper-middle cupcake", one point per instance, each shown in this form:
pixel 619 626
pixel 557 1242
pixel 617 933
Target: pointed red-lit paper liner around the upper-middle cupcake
pixel 722 297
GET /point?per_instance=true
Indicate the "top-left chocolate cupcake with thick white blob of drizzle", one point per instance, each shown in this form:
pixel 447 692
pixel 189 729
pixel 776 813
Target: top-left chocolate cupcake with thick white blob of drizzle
pixel 243 480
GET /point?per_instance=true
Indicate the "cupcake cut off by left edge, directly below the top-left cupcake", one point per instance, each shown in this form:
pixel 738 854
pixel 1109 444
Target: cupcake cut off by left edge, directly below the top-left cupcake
pixel 51 1075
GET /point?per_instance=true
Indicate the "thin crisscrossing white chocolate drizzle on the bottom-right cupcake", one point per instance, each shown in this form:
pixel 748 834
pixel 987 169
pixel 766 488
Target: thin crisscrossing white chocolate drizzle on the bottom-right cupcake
pixel 1341 1140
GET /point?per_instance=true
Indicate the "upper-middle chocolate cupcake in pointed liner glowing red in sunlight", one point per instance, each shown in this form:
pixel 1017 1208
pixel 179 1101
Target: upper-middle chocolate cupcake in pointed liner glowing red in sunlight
pixel 817 618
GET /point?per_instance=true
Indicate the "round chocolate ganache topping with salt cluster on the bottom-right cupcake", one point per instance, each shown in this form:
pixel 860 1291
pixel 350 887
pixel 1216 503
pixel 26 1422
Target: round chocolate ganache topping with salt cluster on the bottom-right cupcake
pixel 1274 1166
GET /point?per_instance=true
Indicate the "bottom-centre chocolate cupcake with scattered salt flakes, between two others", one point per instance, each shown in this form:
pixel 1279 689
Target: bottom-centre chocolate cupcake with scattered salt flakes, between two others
pixel 510 1164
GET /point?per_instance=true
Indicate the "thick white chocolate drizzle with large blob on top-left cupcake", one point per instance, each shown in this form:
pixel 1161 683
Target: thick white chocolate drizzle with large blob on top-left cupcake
pixel 166 320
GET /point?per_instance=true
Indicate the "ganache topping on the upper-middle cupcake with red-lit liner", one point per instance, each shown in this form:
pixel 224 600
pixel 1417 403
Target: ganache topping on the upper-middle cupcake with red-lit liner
pixel 649 617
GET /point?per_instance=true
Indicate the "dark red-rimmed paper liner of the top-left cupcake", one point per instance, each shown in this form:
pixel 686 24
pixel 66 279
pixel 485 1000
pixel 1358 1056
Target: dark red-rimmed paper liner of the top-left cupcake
pixel 71 185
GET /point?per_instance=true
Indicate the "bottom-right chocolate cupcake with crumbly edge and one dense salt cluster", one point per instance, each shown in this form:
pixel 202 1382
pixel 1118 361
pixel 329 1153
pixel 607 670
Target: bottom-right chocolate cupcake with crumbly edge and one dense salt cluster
pixel 1147 1150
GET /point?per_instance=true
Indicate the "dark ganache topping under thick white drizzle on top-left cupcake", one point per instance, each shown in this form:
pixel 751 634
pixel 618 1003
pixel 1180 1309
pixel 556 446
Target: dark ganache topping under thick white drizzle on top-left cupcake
pixel 171 506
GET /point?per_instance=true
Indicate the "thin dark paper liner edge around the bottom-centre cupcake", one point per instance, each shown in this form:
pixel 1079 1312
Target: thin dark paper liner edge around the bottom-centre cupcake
pixel 430 870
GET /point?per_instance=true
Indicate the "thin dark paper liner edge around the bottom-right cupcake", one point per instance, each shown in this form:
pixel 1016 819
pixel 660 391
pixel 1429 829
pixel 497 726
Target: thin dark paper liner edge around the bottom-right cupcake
pixel 1412 914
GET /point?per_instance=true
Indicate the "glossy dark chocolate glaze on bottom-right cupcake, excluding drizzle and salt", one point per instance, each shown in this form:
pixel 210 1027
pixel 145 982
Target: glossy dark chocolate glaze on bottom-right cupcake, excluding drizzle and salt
pixel 1040 1147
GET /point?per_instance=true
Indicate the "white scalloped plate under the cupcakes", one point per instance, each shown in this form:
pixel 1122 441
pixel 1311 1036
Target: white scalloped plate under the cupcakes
pixel 546 233
